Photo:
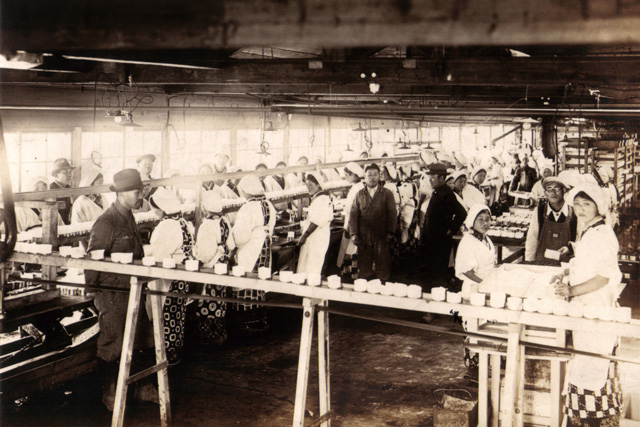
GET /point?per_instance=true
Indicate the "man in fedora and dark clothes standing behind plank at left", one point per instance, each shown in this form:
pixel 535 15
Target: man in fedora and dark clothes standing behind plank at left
pixel 116 231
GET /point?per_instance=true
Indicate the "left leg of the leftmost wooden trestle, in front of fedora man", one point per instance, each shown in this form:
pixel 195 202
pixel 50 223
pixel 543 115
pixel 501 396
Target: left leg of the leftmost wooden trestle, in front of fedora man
pixel 133 308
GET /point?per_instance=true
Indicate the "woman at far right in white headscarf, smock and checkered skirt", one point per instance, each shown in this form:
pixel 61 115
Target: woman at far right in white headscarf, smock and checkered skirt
pixel 593 395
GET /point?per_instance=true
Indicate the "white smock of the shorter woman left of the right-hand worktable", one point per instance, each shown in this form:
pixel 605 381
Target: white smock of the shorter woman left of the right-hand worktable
pixel 474 255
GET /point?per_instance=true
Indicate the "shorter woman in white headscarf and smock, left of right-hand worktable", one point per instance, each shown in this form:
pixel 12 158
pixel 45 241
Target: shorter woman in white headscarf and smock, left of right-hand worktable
pixel 475 259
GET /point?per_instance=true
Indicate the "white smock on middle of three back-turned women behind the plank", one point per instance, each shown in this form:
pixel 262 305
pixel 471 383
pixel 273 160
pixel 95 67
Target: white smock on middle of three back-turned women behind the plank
pixel 209 246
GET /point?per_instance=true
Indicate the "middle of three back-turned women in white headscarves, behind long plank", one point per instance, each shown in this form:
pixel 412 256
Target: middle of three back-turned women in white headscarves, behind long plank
pixel 214 244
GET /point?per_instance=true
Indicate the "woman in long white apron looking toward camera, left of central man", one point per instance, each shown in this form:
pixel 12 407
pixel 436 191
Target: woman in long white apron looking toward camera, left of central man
pixel 317 228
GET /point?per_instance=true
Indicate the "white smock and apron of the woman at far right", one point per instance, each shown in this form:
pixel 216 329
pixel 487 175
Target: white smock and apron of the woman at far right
pixel 596 253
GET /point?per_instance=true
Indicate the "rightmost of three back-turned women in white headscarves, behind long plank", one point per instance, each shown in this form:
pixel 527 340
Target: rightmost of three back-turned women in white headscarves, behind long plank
pixel 252 232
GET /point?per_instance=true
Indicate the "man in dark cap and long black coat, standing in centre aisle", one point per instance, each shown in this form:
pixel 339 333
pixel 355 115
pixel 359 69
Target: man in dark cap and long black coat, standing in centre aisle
pixel 444 217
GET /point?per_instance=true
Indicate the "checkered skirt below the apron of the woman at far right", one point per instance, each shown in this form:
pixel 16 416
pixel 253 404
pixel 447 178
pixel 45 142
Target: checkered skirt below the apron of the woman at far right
pixel 583 404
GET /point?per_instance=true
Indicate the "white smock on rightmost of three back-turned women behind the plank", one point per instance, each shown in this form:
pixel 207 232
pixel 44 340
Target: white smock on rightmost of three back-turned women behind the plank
pixel 249 232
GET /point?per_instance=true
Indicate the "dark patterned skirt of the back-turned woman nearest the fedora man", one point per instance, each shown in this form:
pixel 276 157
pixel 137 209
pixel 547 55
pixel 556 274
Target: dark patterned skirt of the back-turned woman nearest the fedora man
pixel 174 313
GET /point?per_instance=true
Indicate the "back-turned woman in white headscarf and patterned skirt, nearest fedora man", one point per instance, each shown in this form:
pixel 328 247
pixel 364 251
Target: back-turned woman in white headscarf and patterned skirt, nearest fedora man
pixel 172 238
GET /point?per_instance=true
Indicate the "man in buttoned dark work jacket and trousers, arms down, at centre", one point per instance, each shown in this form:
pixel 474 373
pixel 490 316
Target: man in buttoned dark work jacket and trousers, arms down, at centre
pixel 372 224
